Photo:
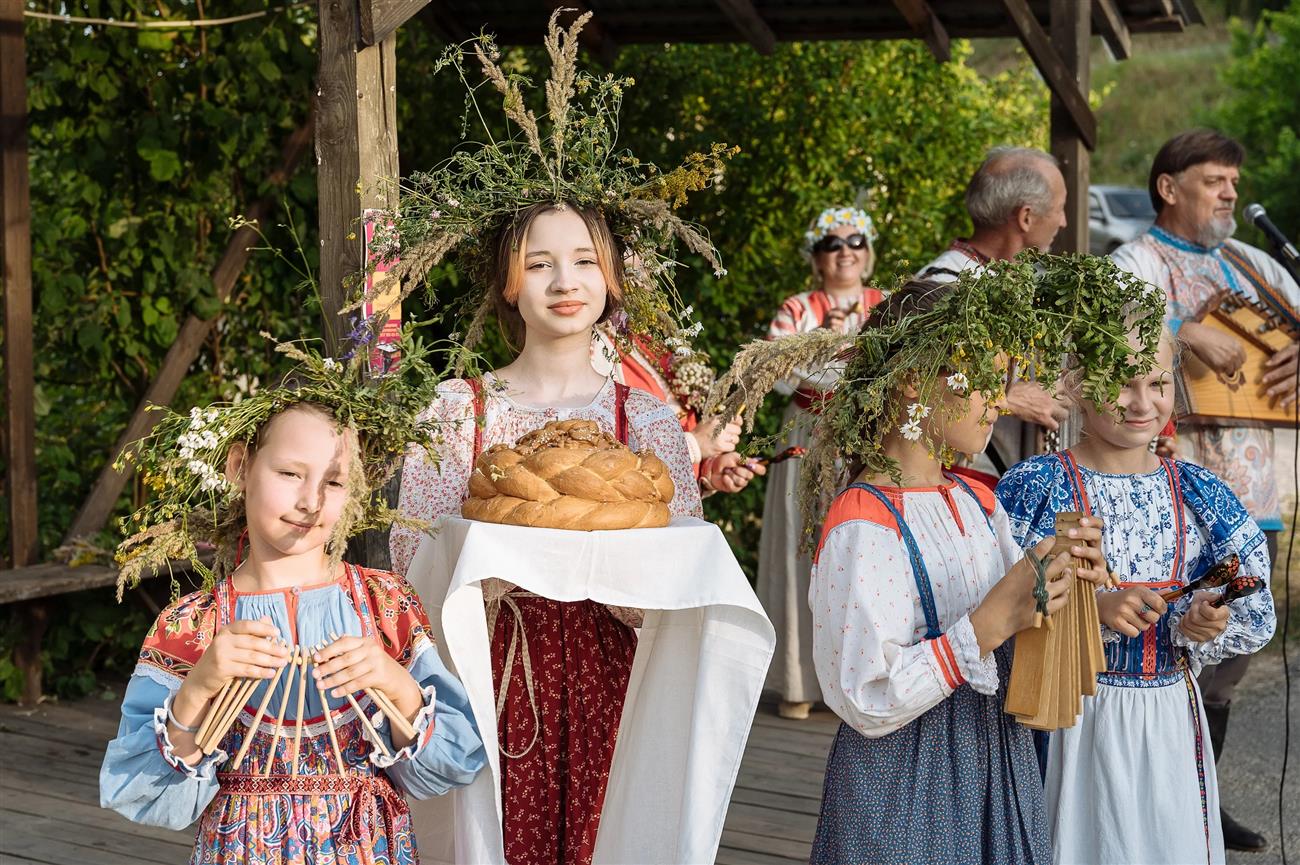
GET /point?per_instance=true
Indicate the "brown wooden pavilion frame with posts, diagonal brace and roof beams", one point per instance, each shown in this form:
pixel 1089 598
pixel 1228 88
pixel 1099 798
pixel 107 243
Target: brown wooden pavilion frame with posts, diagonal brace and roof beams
pixel 354 128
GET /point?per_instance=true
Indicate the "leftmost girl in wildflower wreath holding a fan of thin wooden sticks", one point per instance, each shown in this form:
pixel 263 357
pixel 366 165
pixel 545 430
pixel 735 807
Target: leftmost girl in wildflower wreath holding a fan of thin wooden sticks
pixel 293 702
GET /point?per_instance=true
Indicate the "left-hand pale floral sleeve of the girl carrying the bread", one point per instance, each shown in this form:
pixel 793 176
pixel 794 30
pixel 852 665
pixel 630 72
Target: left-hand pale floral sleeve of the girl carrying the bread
pixel 432 488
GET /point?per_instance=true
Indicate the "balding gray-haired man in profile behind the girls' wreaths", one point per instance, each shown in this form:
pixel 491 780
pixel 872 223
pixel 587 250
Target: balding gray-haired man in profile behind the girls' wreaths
pixel 1016 201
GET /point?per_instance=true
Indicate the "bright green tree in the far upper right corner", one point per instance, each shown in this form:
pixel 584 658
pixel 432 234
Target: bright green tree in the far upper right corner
pixel 1264 113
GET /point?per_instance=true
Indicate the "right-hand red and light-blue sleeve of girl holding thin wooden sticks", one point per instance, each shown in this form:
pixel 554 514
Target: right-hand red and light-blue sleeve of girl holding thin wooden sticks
pixel 448 751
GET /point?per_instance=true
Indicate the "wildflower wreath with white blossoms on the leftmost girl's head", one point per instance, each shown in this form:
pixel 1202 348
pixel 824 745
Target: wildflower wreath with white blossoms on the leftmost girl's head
pixel 183 462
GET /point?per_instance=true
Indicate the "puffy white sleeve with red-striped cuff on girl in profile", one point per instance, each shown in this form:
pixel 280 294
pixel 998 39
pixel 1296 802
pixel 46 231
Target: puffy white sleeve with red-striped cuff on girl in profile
pixel 874 672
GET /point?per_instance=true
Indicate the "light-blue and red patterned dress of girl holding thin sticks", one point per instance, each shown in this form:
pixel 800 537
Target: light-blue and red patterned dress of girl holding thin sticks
pixel 261 812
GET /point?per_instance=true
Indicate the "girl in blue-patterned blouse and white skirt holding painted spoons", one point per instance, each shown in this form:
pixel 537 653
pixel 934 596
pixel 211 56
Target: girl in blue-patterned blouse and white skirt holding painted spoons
pixel 1167 524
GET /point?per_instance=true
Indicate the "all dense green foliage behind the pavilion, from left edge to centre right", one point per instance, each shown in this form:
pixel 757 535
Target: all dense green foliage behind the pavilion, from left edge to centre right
pixel 144 145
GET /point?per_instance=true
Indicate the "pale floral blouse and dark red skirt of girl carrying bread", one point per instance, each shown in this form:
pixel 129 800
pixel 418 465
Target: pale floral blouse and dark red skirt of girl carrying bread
pixel 561 669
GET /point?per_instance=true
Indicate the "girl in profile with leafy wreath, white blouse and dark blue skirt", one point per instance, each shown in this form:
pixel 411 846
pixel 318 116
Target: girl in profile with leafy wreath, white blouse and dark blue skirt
pixel 918 585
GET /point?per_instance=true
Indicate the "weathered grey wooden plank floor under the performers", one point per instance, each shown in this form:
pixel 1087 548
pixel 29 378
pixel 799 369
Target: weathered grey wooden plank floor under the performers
pixel 50 793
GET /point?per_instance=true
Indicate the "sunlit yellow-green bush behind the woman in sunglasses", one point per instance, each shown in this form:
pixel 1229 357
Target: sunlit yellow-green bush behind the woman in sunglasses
pixel 818 124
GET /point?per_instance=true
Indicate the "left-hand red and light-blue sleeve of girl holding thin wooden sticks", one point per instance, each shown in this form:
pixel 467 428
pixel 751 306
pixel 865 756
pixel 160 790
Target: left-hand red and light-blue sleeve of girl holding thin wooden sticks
pixel 142 778
